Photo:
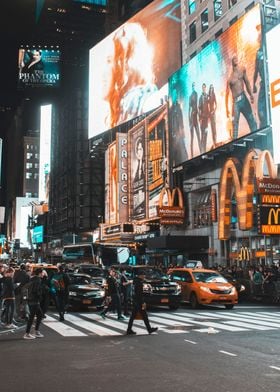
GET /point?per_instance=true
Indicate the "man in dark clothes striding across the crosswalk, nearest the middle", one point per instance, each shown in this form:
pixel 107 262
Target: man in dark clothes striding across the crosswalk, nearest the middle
pixel 139 307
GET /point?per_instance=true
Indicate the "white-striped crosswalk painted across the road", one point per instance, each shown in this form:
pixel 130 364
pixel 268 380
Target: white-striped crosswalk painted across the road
pixel 88 324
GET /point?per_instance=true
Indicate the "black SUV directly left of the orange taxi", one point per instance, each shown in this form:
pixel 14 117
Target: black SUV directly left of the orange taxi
pixel 158 288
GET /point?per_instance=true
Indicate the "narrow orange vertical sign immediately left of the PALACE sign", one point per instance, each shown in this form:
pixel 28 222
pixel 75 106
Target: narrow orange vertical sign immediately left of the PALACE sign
pixel 113 180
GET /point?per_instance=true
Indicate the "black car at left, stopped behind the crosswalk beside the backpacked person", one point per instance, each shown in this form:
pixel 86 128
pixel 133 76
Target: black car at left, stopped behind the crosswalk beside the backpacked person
pixel 83 292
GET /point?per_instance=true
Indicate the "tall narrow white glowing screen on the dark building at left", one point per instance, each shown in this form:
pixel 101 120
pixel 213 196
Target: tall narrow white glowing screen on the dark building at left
pixel 45 152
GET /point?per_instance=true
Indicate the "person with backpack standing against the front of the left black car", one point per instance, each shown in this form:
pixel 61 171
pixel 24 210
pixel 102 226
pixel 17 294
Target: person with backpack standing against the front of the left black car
pixel 59 289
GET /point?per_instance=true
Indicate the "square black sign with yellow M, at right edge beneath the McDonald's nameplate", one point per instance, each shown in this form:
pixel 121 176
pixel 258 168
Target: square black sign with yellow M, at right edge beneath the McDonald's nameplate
pixel 269 220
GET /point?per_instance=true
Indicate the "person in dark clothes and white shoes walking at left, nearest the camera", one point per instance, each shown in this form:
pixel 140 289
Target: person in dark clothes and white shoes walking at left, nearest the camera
pixel 33 290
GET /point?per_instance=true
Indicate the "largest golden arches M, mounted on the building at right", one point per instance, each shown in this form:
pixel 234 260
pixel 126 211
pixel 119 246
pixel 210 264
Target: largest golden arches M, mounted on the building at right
pixel 253 168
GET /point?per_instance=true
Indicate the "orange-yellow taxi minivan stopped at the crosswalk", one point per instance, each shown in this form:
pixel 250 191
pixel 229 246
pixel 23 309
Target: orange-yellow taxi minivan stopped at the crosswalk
pixel 201 286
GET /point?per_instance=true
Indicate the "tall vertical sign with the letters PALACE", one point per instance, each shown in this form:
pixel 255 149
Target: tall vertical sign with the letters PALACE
pixel 122 154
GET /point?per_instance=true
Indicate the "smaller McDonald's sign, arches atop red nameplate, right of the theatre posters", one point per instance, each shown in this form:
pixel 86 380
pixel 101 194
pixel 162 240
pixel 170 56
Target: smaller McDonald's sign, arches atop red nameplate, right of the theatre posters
pixel 169 213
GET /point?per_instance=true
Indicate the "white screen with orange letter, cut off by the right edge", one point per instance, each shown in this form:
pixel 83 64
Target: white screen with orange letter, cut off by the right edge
pixel 272 45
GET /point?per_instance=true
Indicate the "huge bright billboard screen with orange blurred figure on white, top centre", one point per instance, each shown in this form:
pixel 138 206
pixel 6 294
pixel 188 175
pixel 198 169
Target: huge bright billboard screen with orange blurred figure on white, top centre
pixel 129 69
